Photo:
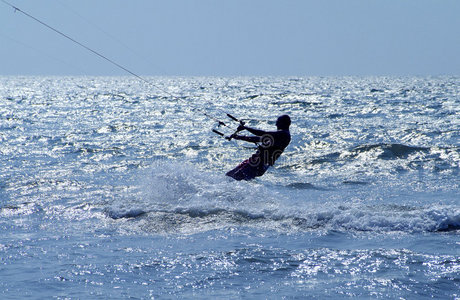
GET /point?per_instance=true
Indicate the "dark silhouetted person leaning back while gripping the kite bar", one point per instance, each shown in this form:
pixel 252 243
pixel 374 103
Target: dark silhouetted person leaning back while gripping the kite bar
pixel 271 145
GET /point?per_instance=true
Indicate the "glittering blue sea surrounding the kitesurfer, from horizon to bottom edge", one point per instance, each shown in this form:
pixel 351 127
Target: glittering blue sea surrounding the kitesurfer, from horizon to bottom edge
pixel 111 188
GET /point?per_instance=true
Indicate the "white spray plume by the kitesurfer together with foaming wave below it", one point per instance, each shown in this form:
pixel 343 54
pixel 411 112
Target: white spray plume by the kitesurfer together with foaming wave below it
pixel 181 199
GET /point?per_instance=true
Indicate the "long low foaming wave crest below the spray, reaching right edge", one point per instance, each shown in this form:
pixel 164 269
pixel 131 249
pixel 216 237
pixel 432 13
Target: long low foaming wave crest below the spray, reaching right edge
pixel 383 219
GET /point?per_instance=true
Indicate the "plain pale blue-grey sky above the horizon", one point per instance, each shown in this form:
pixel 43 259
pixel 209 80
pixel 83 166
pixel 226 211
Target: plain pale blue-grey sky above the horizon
pixel 232 37
